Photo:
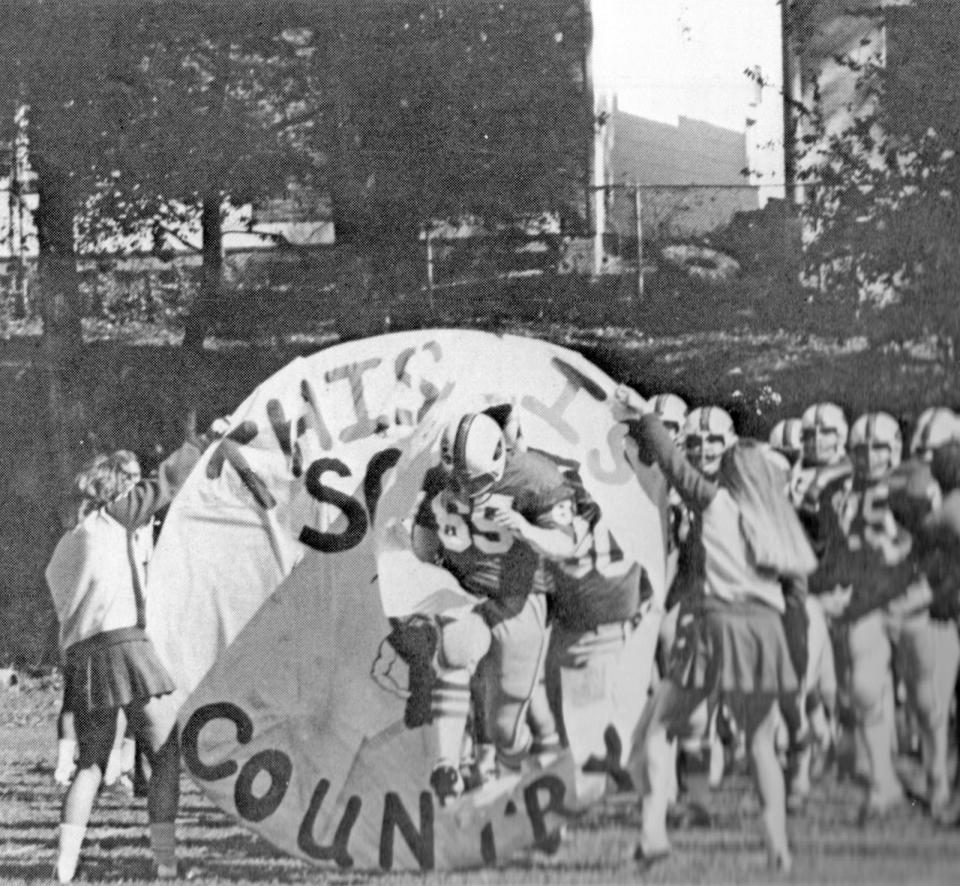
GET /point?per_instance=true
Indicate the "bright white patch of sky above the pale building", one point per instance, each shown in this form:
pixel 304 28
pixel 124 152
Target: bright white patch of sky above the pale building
pixel 667 58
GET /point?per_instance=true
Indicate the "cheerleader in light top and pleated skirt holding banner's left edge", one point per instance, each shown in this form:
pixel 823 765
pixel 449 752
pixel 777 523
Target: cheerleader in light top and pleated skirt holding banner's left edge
pixel 96 579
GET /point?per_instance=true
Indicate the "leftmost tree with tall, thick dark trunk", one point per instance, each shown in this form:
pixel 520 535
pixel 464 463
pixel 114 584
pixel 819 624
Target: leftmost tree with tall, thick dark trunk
pixel 55 61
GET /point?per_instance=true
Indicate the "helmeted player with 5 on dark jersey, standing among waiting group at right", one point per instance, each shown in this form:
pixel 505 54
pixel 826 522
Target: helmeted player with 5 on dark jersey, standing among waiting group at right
pixel 865 564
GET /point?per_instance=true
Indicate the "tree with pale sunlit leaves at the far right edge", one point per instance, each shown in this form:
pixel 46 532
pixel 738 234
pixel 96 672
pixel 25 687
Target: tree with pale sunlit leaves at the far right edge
pixel 883 212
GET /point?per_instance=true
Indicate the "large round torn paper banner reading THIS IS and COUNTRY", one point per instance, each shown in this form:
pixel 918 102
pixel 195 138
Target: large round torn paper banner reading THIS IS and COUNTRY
pixel 285 554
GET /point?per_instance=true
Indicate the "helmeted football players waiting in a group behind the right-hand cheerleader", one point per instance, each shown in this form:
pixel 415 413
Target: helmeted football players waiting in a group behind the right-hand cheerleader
pixel 877 628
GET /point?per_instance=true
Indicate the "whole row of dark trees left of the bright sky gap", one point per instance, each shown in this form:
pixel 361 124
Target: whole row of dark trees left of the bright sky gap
pixel 144 114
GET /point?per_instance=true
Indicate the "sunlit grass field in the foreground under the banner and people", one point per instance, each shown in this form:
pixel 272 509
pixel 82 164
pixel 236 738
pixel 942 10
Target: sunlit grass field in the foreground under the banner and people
pixel 829 847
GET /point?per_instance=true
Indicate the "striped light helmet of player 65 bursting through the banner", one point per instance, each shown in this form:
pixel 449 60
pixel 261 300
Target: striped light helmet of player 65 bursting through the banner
pixel 474 454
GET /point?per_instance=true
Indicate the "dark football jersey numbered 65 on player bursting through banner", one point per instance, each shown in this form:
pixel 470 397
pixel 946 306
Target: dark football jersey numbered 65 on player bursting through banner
pixel 485 558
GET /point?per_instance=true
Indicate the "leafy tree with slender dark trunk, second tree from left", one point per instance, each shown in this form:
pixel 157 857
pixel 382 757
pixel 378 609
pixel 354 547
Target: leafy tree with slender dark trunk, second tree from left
pixel 217 102
